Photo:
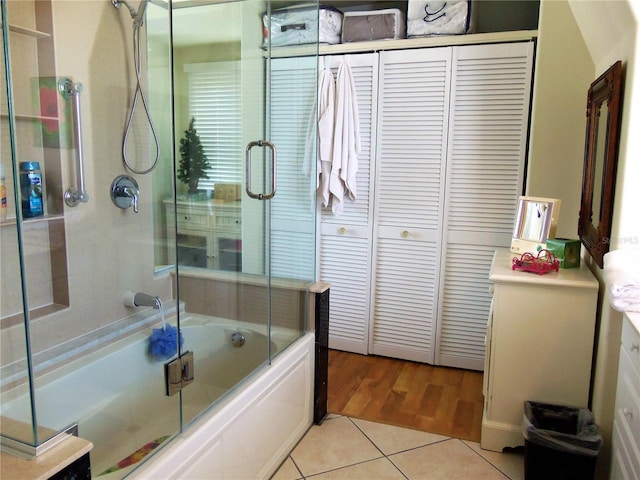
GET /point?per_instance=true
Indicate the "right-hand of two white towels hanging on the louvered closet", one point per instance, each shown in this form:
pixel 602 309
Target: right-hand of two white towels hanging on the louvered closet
pixel 346 140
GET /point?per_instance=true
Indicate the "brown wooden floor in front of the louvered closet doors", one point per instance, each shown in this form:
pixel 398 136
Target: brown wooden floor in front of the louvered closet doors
pixel 446 401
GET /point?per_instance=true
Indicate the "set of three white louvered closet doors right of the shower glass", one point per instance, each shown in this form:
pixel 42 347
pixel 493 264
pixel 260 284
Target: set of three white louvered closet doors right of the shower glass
pixel 444 134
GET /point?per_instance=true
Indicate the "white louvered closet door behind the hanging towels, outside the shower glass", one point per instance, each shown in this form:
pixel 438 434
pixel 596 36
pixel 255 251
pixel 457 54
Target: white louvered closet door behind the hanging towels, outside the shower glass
pixel 345 240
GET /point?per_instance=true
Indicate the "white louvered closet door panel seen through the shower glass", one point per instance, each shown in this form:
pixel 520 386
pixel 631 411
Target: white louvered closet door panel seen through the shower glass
pixel 292 127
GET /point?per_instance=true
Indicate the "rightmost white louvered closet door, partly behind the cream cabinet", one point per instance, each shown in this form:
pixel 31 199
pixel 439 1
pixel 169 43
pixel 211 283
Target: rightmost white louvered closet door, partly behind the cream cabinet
pixel 491 88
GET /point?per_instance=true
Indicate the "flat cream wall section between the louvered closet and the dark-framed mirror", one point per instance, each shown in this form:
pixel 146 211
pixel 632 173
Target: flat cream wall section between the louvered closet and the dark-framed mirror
pixel 562 78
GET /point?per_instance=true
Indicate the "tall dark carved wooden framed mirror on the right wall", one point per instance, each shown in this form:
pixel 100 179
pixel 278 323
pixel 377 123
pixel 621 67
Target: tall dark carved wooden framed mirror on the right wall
pixel 600 161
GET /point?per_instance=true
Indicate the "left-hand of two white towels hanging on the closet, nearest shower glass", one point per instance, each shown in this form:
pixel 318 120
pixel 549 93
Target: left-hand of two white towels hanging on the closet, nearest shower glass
pixel 326 118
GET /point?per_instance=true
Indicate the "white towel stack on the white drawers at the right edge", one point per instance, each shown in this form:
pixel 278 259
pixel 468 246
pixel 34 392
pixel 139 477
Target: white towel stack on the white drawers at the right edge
pixel 622 277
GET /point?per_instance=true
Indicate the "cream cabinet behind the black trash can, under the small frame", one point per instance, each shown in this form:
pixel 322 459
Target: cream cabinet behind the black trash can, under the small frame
pixel 539 345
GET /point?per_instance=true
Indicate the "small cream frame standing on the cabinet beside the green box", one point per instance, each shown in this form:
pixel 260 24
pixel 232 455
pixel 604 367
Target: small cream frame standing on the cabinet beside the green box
pixel 536 221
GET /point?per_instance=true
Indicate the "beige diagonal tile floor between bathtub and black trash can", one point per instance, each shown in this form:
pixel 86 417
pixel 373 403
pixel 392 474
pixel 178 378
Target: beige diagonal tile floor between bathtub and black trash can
pixel 352 449
